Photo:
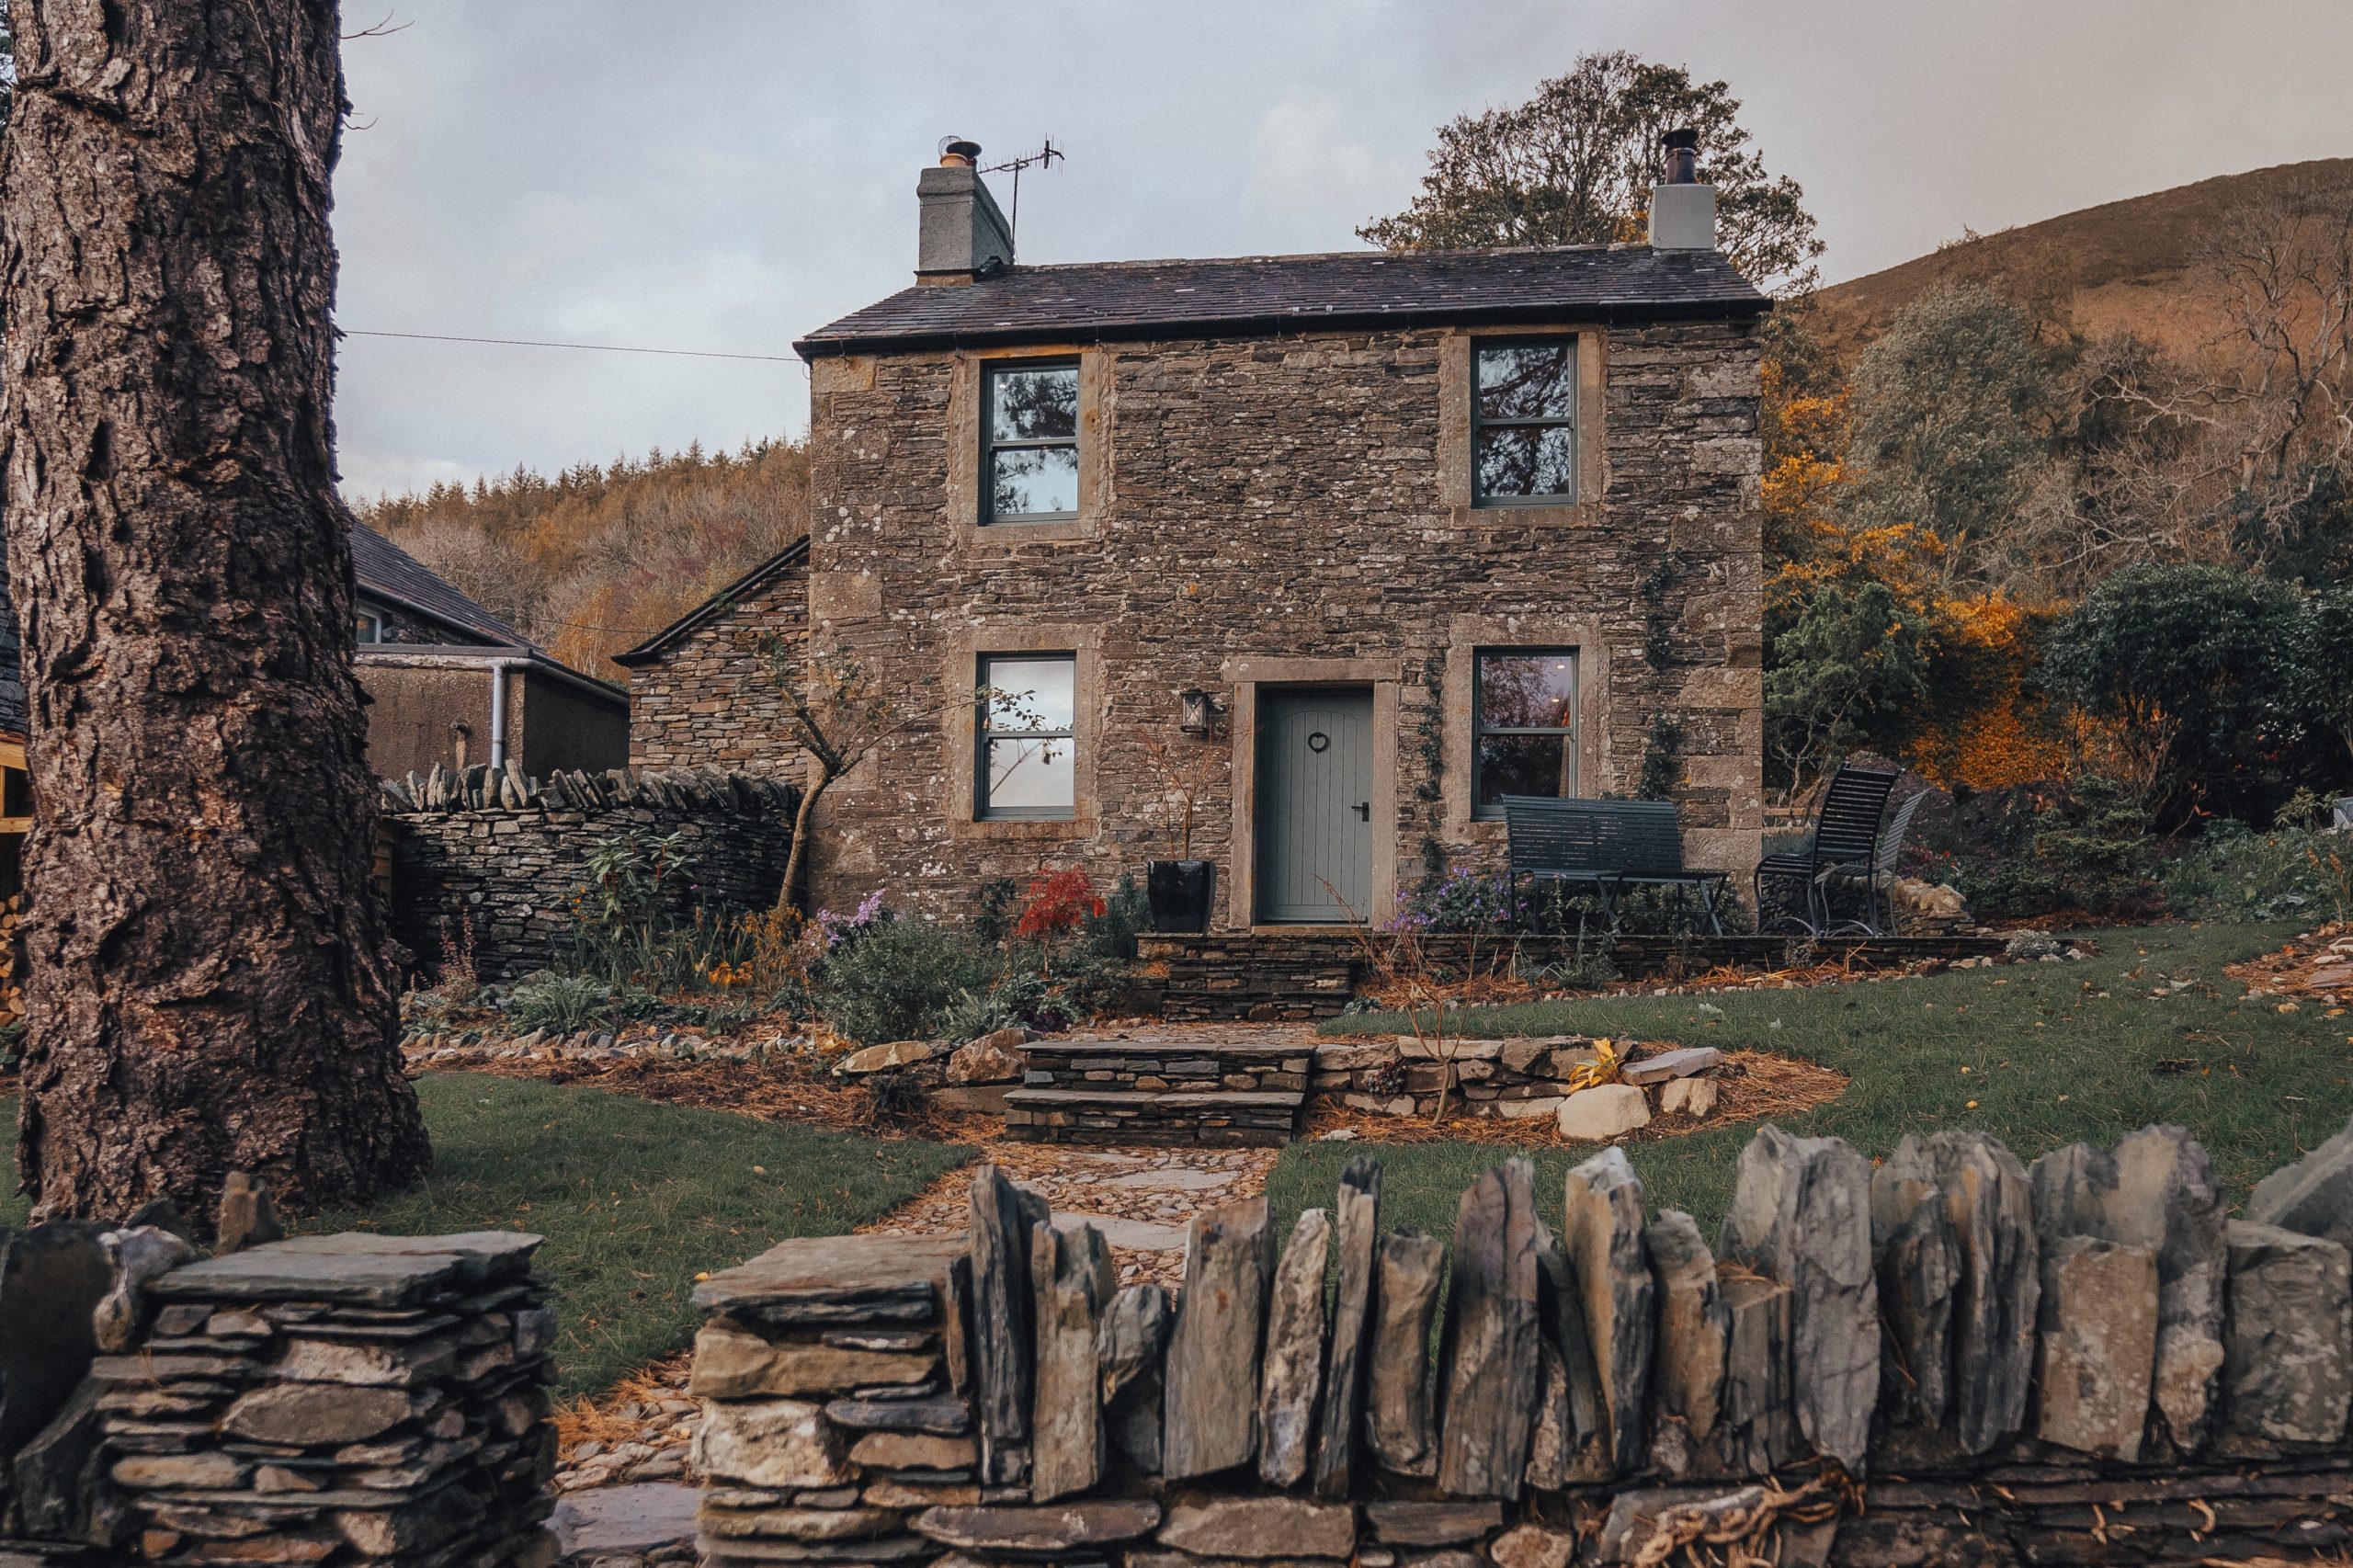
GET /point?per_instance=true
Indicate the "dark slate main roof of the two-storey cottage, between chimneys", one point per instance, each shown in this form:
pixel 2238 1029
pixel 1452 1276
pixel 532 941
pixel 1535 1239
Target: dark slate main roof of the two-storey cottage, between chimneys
pixel 1109 300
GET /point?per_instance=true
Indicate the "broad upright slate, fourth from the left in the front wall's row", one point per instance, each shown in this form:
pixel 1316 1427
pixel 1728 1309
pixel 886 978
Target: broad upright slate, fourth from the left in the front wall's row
pixel 1213 1367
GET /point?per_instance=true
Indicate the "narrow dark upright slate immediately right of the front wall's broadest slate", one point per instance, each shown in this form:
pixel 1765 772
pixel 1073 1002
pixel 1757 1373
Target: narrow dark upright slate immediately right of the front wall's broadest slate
pixel 1919 1270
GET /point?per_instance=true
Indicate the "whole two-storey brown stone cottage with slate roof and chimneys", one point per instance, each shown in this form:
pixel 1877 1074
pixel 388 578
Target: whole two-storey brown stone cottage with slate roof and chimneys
pixel 1342 547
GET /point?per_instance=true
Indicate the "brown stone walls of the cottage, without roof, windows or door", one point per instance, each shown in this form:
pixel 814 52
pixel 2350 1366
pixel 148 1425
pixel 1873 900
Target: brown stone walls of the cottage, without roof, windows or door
pixel 1260 512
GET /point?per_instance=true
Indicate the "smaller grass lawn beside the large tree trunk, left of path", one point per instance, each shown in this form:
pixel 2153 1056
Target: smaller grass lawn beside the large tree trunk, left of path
pixel 634 1200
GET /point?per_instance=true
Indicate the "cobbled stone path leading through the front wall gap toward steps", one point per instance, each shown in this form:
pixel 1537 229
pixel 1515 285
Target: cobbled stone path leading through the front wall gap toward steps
pixel 1140 1200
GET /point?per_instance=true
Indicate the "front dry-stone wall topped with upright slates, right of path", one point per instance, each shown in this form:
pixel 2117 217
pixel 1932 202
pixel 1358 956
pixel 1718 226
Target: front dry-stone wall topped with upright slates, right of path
pixel 1942 1360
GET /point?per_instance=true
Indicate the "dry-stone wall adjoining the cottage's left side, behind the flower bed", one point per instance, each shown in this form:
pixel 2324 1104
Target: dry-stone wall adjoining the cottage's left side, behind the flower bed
pixel 500 856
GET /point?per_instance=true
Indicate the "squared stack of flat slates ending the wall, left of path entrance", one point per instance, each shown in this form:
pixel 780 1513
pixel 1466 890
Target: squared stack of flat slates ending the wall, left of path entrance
pixel 338 1402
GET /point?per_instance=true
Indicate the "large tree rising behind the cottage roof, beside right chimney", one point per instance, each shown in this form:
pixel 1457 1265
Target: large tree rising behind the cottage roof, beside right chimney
pixel 1575 166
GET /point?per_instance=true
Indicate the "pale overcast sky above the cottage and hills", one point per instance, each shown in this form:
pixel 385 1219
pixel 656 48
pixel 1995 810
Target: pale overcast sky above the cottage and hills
pixel 728 175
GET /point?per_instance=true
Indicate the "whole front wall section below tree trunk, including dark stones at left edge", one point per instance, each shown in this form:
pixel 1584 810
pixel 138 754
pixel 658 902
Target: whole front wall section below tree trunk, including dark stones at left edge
pixel 331 1402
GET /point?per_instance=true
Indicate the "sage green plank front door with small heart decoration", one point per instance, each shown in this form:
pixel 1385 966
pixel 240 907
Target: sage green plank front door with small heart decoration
pixel 1314 804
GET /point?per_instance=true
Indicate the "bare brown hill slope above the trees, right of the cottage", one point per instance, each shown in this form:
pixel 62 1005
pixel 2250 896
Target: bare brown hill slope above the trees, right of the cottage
pixel 2126 265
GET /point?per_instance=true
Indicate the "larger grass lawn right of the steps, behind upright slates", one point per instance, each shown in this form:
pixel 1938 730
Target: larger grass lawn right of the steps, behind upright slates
pixel 2034 1054
